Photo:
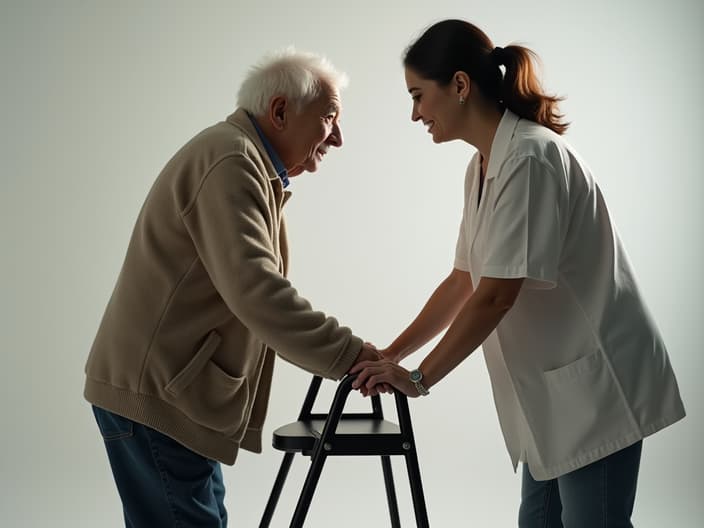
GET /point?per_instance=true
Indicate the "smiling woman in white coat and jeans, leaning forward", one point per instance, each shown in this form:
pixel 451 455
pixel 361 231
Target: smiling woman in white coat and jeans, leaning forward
pixel 541 280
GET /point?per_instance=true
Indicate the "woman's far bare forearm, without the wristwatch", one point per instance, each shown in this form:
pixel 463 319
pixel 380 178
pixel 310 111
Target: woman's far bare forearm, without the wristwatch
pixel 440 310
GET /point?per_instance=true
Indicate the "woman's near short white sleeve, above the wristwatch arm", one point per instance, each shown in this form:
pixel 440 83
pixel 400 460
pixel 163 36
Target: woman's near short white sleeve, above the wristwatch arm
pixel 524 235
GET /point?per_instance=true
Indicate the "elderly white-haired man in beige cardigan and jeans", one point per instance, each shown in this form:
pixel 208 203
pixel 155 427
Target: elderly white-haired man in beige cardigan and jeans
pixel 180 370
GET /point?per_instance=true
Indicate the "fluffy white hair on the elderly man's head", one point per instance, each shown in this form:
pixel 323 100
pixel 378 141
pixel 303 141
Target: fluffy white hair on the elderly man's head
pixel 297 75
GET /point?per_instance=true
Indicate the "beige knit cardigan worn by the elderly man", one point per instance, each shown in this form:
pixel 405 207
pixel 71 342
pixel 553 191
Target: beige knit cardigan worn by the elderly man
pixel 186 342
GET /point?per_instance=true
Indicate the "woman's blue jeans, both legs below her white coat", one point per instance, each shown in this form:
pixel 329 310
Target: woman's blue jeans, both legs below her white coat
pixel 600 495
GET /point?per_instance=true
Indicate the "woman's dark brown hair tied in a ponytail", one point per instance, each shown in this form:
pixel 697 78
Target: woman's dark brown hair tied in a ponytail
pixel 455 45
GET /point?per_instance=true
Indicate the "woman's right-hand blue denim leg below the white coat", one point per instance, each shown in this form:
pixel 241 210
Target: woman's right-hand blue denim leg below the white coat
pixel 602 494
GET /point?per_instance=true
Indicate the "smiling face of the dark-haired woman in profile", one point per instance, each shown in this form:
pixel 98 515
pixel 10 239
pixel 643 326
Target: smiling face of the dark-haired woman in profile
pixel 436 106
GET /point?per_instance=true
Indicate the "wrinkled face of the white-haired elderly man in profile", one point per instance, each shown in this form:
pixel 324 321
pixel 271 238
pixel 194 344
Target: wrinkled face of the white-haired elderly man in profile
pixel 313 131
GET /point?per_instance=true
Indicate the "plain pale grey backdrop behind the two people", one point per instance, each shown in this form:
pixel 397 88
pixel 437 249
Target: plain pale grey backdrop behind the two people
pixel 97 96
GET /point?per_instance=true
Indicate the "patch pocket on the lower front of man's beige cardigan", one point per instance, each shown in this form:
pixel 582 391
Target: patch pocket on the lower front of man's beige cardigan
pixel 207 394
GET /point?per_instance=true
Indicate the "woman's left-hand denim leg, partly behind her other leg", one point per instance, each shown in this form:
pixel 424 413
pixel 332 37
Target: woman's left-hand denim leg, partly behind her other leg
pixel 540 503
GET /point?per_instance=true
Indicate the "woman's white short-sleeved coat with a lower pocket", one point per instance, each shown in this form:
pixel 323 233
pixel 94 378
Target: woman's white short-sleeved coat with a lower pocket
pixel 578 367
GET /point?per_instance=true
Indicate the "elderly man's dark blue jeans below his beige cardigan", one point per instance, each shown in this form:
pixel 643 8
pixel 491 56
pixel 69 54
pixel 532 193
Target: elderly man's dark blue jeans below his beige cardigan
pixel 161 482
